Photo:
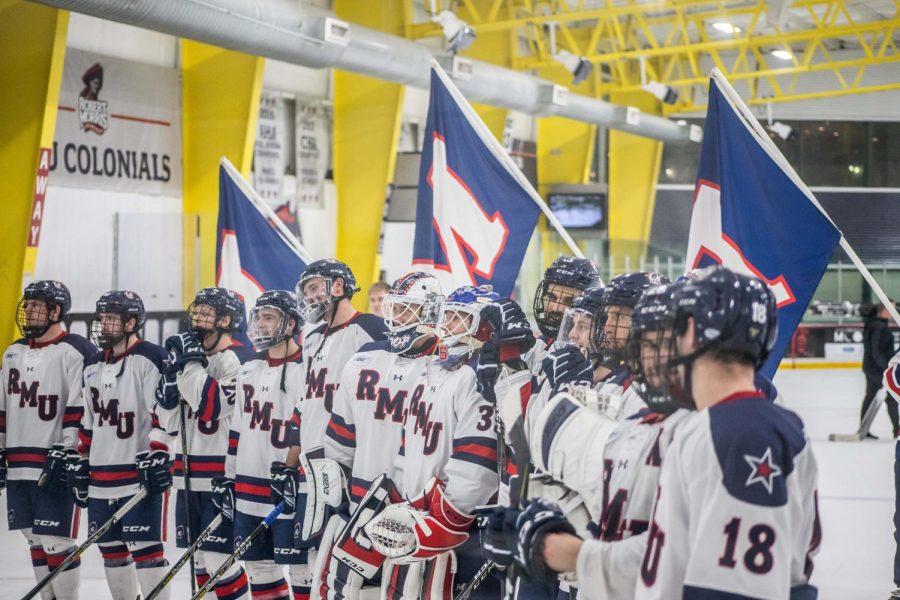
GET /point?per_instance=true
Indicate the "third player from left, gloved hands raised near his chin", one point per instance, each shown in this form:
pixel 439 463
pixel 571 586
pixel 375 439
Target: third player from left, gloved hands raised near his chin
pixel 203 368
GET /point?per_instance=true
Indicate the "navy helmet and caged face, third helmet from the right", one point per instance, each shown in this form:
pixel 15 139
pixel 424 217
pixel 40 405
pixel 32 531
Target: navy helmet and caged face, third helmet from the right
pixel 620 296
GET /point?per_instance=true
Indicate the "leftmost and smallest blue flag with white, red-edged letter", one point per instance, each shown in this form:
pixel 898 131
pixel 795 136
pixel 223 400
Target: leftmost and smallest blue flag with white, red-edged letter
pixel 253 253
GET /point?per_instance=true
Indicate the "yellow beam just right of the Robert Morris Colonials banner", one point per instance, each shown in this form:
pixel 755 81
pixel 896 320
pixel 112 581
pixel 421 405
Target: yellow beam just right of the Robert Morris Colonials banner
pixel 220 99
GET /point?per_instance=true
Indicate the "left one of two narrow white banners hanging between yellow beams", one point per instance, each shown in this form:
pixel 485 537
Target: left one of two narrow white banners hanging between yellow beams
pixel 270 148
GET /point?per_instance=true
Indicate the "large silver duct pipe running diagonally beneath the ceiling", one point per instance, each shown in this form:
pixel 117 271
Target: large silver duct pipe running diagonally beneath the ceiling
pixel 306 35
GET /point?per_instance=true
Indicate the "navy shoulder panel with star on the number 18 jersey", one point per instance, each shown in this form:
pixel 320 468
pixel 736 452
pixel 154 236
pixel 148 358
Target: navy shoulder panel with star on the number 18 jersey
pixel 756 443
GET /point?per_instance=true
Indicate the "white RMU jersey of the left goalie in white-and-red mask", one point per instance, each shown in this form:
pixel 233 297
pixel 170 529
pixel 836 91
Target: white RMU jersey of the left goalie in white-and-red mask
pixel 366 426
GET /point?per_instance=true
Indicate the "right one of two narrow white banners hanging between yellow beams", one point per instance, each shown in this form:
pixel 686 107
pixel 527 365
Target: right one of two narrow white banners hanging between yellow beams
pixel 312 154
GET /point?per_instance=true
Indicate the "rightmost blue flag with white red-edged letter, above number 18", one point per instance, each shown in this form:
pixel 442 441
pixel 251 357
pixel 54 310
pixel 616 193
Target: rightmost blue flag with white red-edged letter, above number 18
pixel 751 216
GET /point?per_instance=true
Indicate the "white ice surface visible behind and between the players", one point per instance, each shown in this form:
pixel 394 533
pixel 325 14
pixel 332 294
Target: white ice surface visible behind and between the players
pixel 855 491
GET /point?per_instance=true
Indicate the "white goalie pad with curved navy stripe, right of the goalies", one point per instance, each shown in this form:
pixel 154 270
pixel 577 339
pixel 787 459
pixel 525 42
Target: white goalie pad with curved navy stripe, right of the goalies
pixel 569 441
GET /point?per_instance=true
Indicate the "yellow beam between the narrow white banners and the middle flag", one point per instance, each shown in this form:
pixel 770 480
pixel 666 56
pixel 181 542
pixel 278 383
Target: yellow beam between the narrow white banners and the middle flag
pixel 367 118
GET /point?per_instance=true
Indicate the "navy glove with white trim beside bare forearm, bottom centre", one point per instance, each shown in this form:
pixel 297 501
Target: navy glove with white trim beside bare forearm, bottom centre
pixel 539 518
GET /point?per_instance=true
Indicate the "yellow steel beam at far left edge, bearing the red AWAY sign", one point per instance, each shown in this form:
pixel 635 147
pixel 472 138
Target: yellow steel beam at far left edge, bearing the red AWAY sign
pixel 33 46
